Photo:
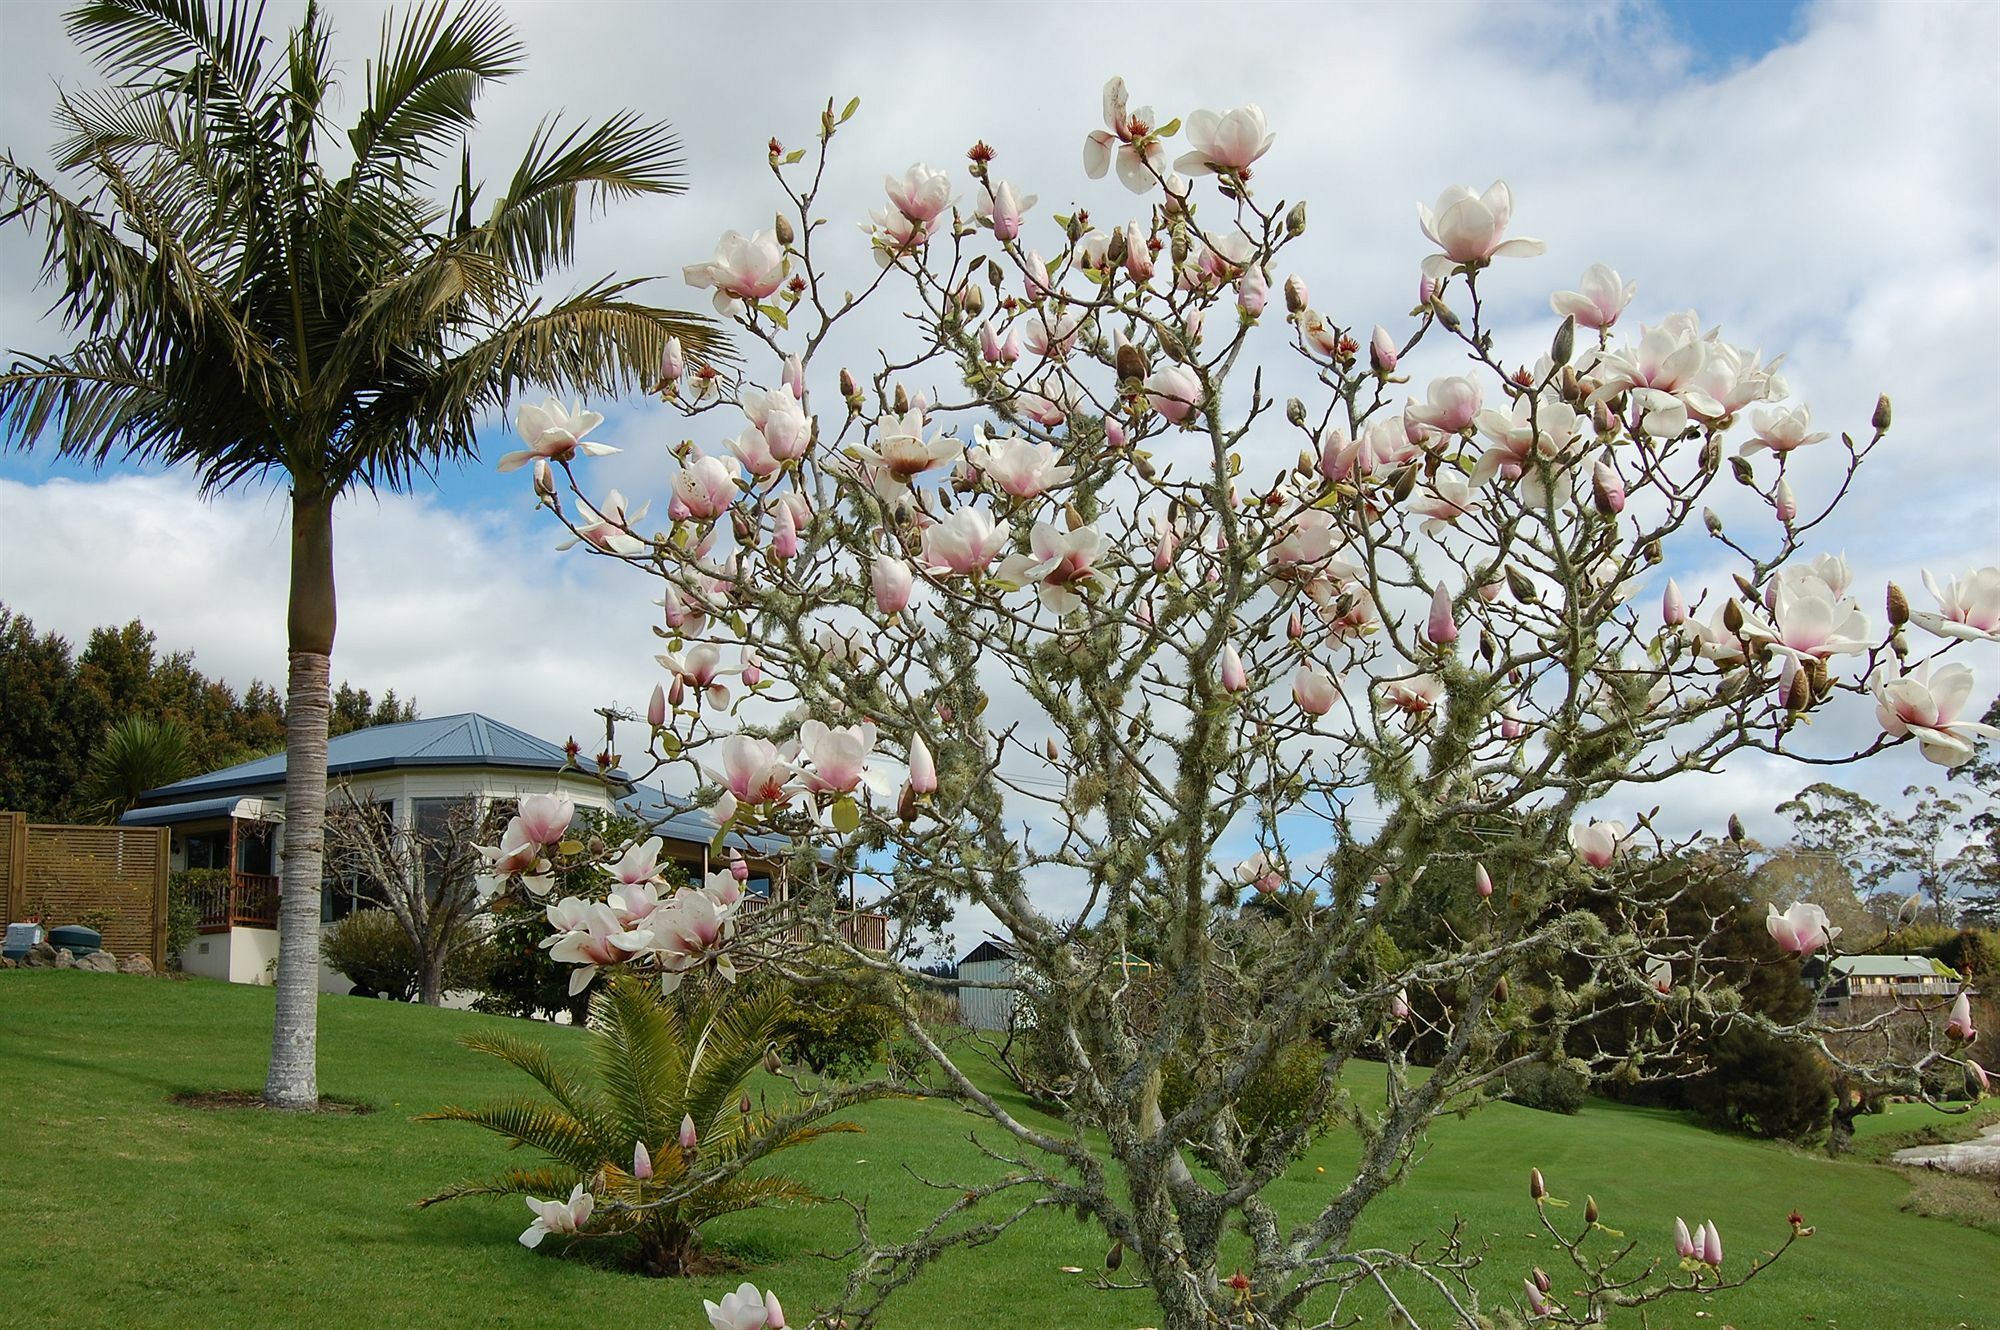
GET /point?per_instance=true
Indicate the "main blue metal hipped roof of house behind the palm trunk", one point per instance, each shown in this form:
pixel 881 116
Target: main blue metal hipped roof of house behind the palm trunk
pixel 443 741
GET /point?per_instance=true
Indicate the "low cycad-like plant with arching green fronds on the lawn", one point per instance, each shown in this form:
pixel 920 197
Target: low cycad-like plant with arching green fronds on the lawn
pixel 665 1137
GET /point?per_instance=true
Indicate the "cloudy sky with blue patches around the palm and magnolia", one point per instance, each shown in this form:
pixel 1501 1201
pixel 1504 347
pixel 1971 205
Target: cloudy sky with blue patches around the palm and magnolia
pixel 1817 179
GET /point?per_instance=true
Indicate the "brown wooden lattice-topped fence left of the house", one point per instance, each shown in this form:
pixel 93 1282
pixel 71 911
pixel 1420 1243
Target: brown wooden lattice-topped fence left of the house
pixel 65 873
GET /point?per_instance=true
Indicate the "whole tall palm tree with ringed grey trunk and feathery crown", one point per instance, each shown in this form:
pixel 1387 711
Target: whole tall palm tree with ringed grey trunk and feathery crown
pixel 247 309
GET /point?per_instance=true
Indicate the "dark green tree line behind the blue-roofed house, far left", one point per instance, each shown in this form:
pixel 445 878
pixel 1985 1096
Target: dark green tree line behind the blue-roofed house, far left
pixel 83 731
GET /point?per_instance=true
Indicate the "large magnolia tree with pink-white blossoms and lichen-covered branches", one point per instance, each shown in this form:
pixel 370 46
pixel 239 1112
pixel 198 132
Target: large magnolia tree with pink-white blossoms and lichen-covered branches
pixel 1061 595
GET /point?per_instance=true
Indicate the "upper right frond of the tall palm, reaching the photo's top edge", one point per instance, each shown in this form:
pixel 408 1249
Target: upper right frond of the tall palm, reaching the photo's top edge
pixel 425 81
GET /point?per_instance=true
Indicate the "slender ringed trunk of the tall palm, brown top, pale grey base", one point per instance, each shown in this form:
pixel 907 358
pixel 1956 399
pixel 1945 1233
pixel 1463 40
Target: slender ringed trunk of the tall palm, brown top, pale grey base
pixel 295 1079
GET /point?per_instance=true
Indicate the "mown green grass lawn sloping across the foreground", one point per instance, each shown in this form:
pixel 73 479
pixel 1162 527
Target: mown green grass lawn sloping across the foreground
pixel 123 1209
